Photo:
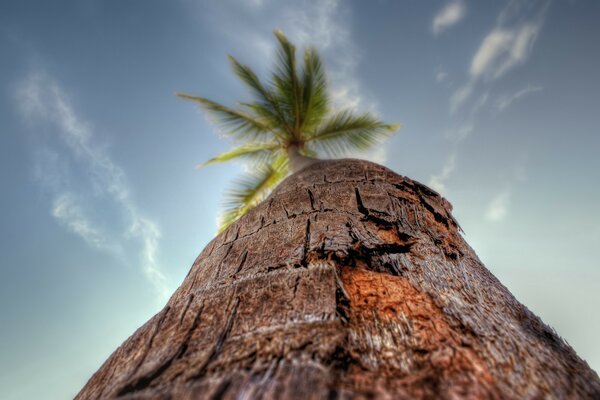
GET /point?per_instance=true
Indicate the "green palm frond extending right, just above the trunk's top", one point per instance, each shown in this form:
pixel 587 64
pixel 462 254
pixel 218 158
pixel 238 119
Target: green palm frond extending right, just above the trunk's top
pixel 344 132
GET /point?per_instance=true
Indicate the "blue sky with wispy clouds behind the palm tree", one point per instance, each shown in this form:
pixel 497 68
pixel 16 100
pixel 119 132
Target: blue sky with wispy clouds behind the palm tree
pixel 103 212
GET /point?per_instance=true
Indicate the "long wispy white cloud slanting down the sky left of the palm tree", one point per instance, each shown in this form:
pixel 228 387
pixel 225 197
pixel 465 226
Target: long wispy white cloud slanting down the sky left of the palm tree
pixel 43 102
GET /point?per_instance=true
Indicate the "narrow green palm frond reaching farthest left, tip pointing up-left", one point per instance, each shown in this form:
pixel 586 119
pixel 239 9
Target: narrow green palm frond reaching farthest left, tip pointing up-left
pixel 236 122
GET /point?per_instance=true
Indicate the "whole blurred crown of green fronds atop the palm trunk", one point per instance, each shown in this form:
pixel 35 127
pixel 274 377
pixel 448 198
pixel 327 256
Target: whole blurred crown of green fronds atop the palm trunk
pixel 289 123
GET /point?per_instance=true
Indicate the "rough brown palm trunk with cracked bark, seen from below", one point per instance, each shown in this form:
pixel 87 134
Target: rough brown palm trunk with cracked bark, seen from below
pixel 349 281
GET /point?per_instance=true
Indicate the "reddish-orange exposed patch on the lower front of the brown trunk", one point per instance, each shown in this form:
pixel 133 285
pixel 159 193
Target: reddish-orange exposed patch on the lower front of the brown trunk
pixel 439 354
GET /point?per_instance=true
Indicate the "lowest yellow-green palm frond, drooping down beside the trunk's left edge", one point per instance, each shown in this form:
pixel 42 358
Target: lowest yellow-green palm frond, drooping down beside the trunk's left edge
pixel 250 190
